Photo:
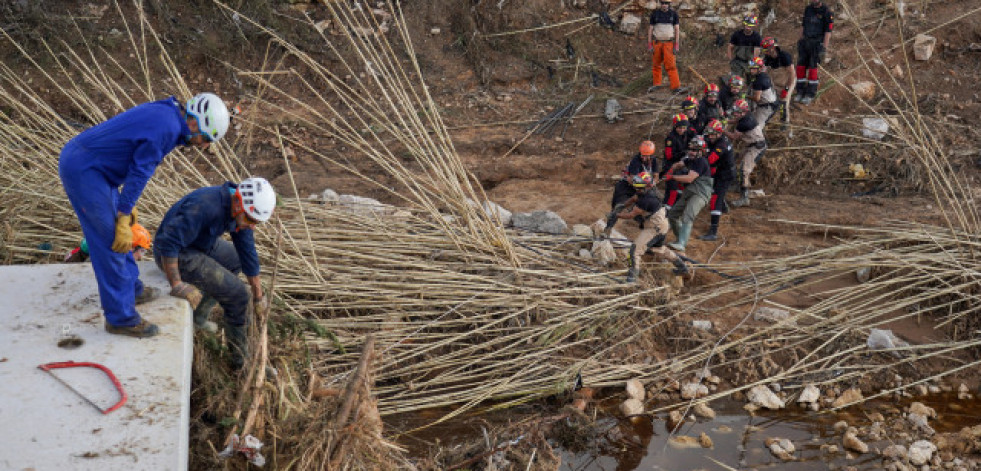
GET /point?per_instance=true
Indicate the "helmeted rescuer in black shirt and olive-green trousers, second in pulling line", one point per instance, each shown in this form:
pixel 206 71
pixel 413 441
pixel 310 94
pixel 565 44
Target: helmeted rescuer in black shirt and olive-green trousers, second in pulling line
pixel 695 174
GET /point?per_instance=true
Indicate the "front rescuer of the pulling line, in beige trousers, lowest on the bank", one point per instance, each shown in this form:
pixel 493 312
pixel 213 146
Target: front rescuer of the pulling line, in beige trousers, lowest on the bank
pixel 647 210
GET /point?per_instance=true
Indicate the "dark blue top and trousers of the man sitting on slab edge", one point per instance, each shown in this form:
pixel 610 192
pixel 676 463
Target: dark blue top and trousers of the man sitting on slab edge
pixel 191 232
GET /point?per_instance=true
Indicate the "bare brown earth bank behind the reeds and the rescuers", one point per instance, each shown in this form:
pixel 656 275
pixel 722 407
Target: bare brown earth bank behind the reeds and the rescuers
pixel 490 90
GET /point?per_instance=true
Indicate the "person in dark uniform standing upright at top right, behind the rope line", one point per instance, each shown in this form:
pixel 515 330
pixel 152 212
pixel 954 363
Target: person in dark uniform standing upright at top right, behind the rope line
pixel 815 36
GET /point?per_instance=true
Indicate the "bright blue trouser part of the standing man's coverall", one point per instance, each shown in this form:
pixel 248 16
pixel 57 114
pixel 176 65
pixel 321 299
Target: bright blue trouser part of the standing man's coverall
pixel 94 200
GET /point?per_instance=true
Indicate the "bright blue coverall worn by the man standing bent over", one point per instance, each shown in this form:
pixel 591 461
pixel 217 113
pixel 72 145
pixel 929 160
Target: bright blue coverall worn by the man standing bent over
pixel 125 150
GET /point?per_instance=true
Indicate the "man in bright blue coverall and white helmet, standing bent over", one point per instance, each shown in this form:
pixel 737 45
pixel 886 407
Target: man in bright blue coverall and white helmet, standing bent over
pixel 124 152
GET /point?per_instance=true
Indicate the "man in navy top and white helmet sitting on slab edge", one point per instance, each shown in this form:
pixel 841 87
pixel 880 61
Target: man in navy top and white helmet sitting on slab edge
pixel 203 268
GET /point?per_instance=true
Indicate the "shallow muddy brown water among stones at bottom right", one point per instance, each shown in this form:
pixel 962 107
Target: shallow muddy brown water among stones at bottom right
pixel 739 438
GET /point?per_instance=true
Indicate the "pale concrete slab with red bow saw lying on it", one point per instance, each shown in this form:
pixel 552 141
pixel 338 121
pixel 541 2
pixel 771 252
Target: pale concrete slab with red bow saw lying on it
pixel 43 424
